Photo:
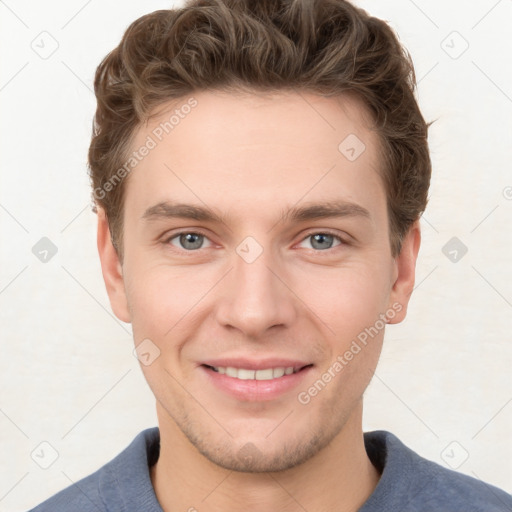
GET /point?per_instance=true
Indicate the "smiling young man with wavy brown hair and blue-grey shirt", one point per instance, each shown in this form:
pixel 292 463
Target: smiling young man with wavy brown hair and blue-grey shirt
pixel 259 170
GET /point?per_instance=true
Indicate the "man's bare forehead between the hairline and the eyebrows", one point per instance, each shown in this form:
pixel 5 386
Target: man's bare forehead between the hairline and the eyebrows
pixel 246 150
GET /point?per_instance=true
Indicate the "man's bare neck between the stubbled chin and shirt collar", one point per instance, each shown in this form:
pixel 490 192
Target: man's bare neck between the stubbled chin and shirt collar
pixel 339 477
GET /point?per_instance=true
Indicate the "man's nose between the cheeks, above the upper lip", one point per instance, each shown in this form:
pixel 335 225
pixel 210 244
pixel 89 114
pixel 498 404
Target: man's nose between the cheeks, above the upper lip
pixel 255 296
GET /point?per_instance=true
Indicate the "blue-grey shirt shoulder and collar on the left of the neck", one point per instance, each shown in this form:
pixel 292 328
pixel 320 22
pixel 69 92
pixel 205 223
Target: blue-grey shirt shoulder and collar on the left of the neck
pixel 122 480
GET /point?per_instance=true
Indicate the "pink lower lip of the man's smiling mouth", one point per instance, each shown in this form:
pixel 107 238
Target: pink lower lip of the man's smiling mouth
pixel 253 390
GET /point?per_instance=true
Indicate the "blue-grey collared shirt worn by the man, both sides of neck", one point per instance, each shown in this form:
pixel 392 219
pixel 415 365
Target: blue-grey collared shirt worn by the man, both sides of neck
pixel 408 483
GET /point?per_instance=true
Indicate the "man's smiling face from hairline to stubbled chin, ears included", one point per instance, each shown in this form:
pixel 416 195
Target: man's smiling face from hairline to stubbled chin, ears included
pixel 256 243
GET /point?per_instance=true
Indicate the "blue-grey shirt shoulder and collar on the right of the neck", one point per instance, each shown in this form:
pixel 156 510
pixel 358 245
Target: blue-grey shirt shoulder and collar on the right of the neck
pixel 413 483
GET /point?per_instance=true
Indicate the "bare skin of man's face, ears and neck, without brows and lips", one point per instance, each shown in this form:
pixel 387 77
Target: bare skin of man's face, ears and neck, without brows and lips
pixel 249 157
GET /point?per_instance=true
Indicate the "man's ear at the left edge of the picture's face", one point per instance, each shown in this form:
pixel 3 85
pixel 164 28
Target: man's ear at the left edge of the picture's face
pixel 111 269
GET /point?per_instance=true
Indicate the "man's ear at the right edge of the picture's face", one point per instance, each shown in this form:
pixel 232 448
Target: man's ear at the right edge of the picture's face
pixel 404 273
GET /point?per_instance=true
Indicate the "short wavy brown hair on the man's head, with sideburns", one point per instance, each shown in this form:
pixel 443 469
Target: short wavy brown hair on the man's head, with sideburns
pixel 329 47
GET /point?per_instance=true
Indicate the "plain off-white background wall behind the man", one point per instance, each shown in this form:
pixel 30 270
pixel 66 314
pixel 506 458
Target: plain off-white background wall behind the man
pixel 68 375
